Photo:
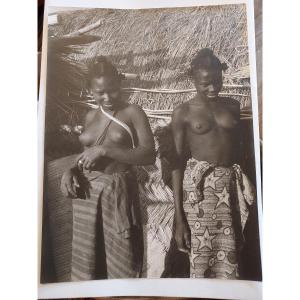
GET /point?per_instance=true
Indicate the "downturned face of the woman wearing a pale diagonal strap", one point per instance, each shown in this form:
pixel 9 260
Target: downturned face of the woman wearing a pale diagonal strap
pixel 106 91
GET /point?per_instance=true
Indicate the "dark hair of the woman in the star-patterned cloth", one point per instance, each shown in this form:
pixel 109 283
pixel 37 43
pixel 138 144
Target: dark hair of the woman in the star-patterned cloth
pixel 205 59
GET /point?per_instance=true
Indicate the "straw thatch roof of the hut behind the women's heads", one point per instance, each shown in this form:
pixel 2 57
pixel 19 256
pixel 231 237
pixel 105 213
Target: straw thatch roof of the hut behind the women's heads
pixel 156 44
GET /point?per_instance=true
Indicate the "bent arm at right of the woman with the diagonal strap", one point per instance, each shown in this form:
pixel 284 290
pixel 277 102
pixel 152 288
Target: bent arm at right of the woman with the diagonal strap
pixel 144 153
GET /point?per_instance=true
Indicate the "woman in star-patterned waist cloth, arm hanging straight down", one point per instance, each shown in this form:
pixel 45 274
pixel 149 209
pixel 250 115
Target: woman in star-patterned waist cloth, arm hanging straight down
pixel 211 192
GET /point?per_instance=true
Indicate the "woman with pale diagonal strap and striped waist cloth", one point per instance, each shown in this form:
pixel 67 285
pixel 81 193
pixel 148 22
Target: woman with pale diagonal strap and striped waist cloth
pixel 116 136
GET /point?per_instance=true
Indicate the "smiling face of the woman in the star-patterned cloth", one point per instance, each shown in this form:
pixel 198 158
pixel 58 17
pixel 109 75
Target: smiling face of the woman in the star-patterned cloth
pixel 208 82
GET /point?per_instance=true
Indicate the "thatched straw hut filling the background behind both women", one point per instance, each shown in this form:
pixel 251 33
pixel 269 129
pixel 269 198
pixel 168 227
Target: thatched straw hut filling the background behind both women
pixel 157 45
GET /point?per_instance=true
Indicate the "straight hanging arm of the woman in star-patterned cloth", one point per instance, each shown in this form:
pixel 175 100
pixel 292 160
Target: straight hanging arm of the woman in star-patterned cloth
pixel 182 231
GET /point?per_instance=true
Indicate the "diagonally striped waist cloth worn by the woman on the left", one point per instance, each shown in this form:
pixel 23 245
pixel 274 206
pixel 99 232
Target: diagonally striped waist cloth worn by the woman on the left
pixel 105 241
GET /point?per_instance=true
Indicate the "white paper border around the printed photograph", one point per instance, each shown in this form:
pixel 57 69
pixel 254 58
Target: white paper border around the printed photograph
pixel 205 288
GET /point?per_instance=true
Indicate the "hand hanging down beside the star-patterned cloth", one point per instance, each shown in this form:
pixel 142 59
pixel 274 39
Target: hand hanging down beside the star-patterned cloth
pixel 183 235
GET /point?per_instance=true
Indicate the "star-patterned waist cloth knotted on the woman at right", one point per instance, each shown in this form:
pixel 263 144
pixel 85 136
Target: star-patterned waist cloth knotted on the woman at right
pixel 216 201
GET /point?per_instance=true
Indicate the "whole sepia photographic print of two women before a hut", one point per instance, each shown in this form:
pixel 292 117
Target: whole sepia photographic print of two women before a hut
pixel 151 153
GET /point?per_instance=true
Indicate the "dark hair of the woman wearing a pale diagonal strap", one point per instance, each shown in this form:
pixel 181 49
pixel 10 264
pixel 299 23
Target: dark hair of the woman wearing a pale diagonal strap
pixel 101 66
